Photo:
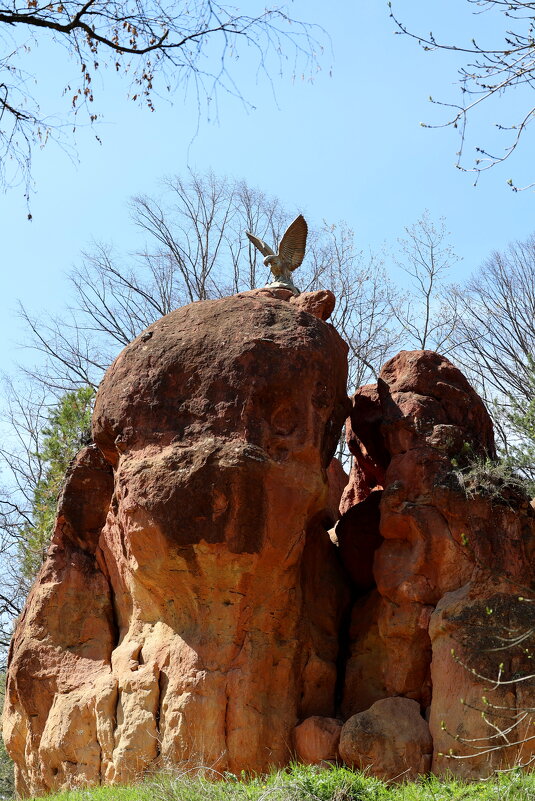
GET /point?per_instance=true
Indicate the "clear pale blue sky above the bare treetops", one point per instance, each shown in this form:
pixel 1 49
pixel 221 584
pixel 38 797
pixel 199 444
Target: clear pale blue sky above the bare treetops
pixel 347 147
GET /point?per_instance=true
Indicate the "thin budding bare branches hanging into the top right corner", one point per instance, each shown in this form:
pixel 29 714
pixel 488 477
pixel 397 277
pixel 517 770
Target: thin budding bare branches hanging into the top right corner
pixel 492 71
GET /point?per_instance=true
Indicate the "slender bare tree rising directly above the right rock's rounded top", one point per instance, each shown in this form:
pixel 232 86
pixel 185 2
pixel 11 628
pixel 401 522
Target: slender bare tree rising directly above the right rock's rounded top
pixel 425 318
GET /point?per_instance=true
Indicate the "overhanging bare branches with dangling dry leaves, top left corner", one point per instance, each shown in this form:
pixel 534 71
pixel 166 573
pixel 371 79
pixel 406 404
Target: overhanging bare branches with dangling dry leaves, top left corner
pixel 156 46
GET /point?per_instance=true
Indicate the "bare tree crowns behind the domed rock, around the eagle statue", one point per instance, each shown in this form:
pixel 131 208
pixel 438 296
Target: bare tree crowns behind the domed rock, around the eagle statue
pixel 196 249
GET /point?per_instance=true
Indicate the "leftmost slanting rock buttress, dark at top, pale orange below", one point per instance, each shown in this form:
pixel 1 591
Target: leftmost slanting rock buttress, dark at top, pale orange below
pixel 64 641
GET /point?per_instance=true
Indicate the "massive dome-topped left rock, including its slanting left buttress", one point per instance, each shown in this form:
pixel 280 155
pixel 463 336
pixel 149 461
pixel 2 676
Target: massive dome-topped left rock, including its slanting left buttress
pixel 171 620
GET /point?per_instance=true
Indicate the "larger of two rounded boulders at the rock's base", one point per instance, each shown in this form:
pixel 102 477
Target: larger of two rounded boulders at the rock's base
pixel 390 740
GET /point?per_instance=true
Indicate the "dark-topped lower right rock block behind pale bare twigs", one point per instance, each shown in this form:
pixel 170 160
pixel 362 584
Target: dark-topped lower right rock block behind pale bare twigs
pixel 482 641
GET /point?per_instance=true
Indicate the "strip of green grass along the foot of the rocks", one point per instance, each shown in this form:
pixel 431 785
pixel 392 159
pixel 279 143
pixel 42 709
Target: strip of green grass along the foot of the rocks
pixel 302 783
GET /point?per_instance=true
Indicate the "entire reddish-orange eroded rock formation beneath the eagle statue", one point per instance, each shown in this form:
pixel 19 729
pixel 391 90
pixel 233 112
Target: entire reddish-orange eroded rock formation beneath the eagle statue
pixel 196 606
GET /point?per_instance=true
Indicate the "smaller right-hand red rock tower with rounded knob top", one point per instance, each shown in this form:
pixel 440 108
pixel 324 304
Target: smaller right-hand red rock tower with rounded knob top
pixel 446 555
